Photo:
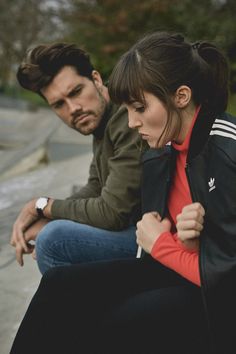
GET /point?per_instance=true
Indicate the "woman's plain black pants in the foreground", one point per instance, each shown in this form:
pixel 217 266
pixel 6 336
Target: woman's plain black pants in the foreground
pixel 113 307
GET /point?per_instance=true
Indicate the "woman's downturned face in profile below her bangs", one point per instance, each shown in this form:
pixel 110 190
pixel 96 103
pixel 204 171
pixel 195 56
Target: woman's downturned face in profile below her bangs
pixel 150 120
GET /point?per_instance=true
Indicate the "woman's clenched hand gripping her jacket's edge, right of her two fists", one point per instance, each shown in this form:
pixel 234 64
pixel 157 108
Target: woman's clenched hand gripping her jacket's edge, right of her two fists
pixel 190 224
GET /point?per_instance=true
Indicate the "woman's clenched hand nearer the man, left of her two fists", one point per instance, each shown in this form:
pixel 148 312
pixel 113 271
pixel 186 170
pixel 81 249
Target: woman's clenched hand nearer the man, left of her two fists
pixel 150 228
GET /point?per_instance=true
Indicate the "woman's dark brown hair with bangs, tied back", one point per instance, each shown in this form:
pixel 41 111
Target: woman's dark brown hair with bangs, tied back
pixel 161 62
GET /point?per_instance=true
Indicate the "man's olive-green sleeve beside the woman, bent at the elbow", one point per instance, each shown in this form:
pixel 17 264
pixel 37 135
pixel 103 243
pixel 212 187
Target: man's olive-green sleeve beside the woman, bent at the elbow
pixel 120 195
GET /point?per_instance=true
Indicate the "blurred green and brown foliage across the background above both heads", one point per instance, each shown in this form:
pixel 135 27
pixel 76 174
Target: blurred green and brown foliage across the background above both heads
pixel 107 28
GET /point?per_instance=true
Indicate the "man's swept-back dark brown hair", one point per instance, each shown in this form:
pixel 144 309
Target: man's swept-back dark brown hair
pixel 44 62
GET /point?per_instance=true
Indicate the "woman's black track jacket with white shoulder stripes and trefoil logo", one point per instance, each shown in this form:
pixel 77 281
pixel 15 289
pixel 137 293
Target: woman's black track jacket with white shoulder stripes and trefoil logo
pixel 211 173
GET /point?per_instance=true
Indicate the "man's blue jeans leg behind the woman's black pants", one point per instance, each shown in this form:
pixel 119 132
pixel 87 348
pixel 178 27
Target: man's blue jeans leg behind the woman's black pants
pixel 65 242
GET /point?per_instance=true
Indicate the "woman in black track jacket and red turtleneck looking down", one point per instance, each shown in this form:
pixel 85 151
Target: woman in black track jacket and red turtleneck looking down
pixel 179 297
